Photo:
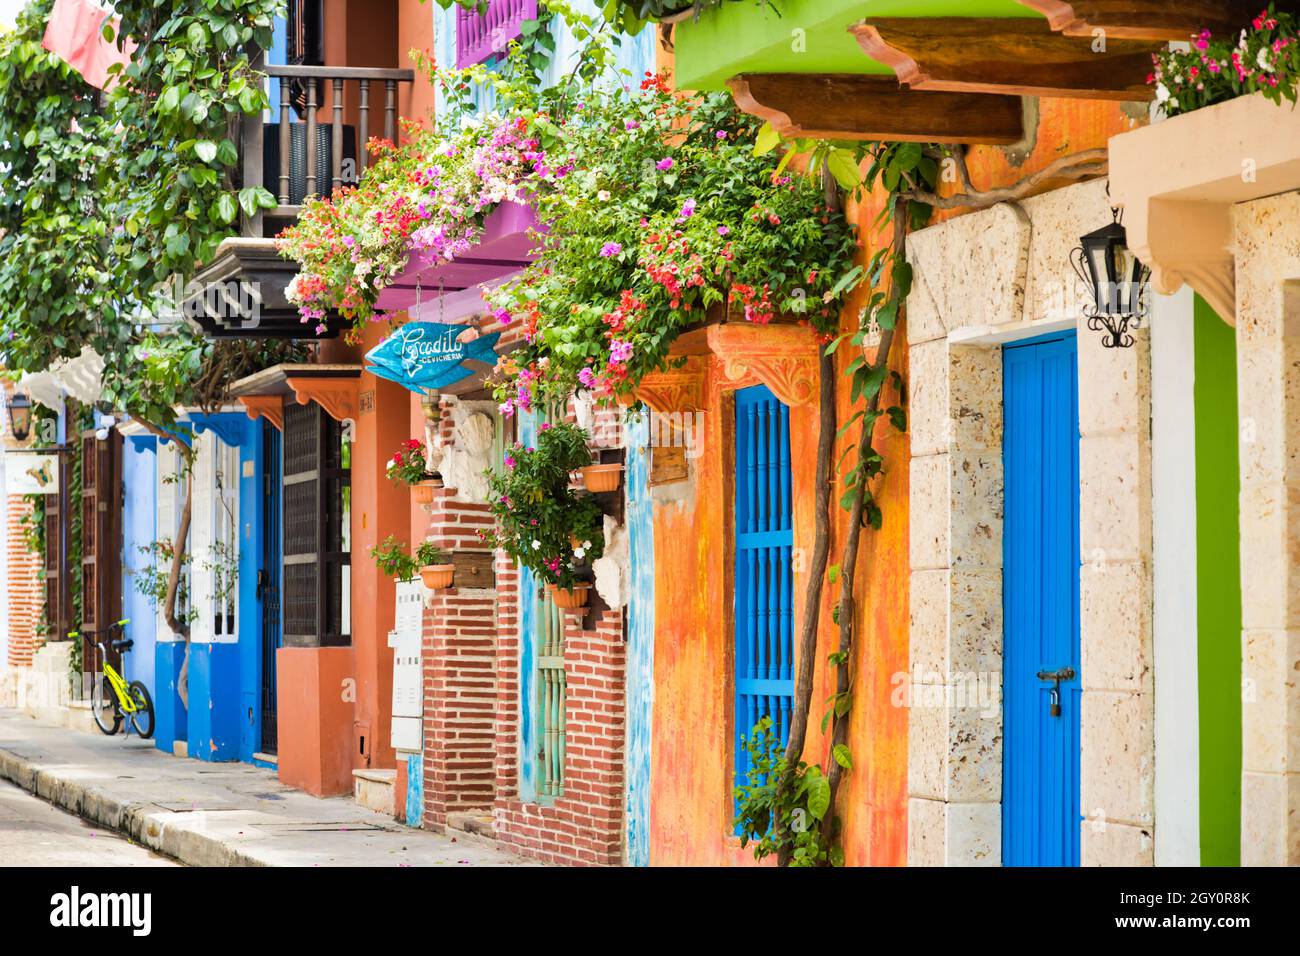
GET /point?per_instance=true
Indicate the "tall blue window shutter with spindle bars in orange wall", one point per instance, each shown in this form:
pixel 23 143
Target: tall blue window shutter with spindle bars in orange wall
pixel 765 538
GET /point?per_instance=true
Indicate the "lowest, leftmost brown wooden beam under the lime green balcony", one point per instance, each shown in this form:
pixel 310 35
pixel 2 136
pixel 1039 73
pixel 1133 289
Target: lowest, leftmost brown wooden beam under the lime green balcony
pixel 852 106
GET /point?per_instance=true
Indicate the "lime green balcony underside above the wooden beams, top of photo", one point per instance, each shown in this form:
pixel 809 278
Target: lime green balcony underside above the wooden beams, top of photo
pixel 805 37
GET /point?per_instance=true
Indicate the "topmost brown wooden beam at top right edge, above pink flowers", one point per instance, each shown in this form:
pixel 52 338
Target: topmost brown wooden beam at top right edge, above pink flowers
pixel 1149 20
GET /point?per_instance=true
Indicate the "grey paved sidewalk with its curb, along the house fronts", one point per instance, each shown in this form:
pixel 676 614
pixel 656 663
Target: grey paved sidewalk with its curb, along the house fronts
pixel 215 815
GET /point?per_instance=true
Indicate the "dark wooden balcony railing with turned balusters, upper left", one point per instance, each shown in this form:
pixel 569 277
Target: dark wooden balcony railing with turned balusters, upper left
pixel 298 157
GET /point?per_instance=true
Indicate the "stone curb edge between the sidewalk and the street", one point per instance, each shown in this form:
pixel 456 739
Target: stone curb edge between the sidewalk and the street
pixel 141 823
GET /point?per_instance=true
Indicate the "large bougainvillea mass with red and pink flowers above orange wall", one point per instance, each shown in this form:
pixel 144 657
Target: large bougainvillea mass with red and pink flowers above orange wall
pixel 669 218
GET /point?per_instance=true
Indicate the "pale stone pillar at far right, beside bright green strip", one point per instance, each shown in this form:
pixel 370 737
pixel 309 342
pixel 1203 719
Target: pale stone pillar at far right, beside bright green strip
pixel 1268 338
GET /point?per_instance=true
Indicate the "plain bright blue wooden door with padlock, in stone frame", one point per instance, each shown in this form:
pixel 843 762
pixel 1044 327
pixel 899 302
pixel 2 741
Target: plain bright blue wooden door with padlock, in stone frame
pixel 1041 750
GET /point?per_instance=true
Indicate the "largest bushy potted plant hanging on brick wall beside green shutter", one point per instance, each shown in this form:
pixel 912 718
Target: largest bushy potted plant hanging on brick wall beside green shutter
pixel 543 524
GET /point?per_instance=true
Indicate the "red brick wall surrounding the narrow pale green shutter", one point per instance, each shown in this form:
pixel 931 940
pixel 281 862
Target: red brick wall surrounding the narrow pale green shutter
pixel 586 825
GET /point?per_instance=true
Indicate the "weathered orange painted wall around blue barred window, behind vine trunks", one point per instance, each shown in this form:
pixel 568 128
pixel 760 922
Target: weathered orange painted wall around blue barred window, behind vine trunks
pixel 691 804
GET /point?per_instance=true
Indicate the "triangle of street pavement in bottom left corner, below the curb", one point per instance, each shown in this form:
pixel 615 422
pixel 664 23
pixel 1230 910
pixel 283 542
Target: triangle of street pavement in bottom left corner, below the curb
pixel 36 834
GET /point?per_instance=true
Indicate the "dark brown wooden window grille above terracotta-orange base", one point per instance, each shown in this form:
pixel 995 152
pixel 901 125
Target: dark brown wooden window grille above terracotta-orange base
pixel 318 533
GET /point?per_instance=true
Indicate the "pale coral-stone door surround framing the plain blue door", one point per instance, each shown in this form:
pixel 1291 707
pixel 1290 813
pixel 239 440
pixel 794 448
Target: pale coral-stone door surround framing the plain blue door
pixel 982 280
